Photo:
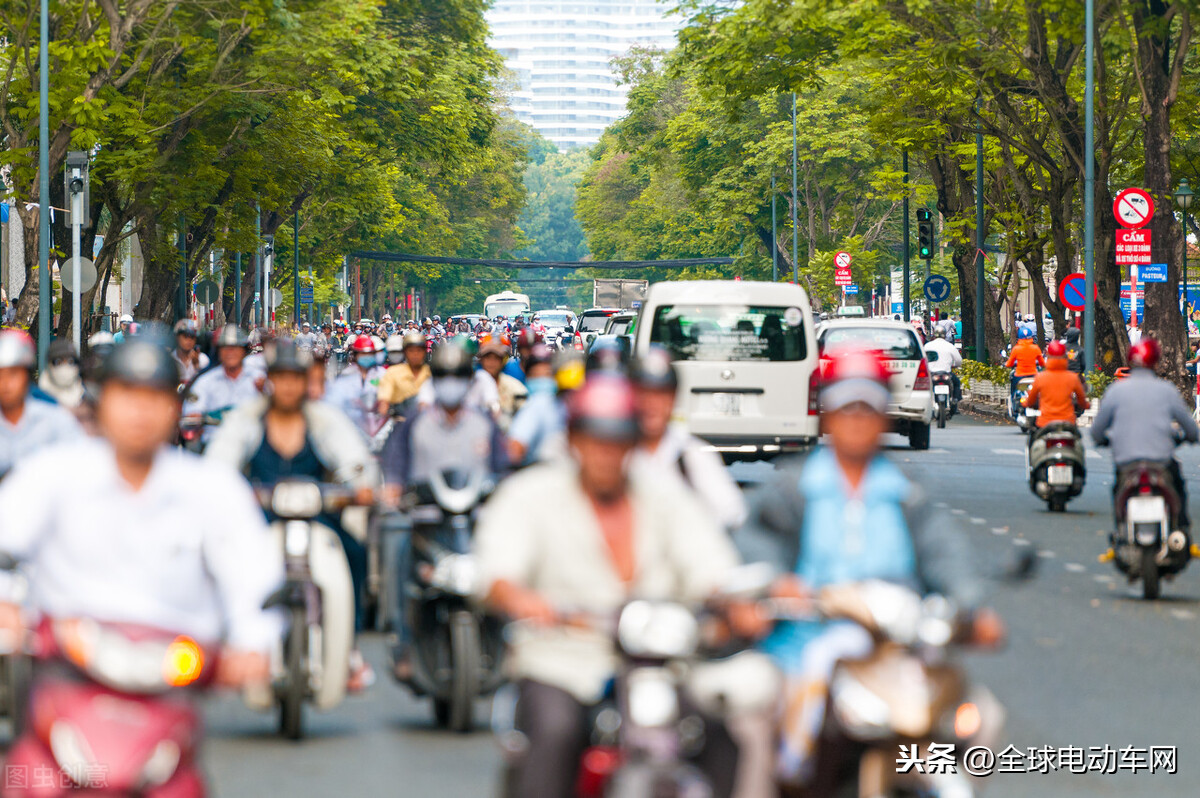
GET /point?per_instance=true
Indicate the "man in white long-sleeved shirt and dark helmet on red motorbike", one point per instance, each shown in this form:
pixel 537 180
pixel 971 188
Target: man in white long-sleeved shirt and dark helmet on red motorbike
pixel 183 548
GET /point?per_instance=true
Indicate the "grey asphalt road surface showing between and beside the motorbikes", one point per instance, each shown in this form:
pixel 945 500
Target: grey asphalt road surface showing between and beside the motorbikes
pixel 1089 663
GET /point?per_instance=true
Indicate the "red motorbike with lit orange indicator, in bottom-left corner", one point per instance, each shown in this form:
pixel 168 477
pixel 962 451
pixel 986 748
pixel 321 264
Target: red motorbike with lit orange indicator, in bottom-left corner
pixel 112 711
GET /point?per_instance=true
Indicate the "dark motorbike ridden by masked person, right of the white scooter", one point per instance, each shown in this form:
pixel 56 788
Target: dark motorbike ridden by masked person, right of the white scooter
pixel 457 651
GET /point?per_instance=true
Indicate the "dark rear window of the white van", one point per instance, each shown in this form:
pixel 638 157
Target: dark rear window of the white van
pixel 730 333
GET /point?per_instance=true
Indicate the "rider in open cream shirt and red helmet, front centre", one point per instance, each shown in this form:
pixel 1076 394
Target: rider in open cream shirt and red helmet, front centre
pixel 628 535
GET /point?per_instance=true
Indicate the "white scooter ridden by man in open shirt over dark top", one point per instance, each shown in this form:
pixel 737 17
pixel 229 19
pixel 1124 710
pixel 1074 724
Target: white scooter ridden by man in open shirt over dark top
pixel 311 663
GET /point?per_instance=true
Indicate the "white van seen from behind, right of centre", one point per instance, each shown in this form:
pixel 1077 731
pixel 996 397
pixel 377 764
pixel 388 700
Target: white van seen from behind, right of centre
pixel 747 359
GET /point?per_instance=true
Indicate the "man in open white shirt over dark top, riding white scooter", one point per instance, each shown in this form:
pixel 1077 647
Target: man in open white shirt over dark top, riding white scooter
pixel 284 435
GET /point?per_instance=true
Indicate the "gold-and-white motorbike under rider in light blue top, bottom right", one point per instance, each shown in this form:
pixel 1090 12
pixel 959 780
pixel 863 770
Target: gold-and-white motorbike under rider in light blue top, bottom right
pixel 909 693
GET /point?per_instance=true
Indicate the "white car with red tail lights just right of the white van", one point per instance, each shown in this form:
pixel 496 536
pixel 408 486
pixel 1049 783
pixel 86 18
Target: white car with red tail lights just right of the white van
pixel 913 393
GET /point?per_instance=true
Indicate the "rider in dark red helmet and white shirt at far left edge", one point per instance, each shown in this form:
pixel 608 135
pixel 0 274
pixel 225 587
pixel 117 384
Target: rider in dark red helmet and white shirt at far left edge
pixel 27 424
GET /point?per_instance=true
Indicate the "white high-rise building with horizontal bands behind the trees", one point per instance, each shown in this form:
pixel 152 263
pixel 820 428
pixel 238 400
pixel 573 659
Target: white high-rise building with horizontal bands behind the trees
pixel 562 51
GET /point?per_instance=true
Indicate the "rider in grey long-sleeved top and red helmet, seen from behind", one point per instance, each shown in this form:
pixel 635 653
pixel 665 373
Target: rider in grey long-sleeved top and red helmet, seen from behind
pixel 1136 419
